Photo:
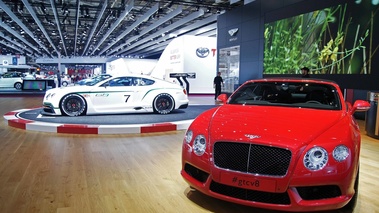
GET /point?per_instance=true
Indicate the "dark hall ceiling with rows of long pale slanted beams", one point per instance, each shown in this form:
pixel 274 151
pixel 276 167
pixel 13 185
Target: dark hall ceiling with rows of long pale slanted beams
pixel 74 28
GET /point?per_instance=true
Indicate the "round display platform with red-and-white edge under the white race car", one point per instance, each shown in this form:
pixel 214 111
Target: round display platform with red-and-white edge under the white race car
pixel 32 119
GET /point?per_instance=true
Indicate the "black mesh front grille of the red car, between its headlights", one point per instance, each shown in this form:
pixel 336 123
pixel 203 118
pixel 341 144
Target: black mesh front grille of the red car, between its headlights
pixel 252 158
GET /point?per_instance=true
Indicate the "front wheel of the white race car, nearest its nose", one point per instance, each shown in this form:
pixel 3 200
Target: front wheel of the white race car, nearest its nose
pixel 73 105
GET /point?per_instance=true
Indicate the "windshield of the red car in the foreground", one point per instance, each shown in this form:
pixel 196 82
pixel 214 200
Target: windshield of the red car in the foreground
pixel 293 94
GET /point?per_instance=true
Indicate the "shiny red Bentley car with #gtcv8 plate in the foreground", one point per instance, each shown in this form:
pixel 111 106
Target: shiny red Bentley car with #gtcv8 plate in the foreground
pixel 283 143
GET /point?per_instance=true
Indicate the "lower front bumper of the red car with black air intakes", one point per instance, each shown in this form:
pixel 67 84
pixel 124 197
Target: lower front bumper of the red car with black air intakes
pixel 294 198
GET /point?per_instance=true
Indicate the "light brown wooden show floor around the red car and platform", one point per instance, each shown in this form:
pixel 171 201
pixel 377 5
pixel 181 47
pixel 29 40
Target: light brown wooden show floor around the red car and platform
pixel 69 173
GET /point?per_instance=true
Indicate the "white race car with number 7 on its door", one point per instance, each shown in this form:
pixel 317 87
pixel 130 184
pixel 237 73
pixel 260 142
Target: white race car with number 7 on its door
pixel 121 94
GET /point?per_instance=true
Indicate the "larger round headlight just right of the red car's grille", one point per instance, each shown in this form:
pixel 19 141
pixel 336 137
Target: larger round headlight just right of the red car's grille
pixel 315 159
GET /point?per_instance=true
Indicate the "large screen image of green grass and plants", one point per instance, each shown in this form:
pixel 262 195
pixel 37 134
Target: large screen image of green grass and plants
pixel 335 40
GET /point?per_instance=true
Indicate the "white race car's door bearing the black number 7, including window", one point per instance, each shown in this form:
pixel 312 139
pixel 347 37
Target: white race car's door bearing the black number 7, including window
pixel 114 95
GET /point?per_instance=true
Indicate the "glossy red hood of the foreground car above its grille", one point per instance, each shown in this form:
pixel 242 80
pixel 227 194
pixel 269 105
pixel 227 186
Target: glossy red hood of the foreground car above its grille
pixel 281 126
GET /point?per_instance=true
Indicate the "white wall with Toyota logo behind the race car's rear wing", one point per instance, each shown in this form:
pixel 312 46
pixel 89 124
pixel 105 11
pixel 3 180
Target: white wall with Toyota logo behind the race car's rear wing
pixel 189 55
